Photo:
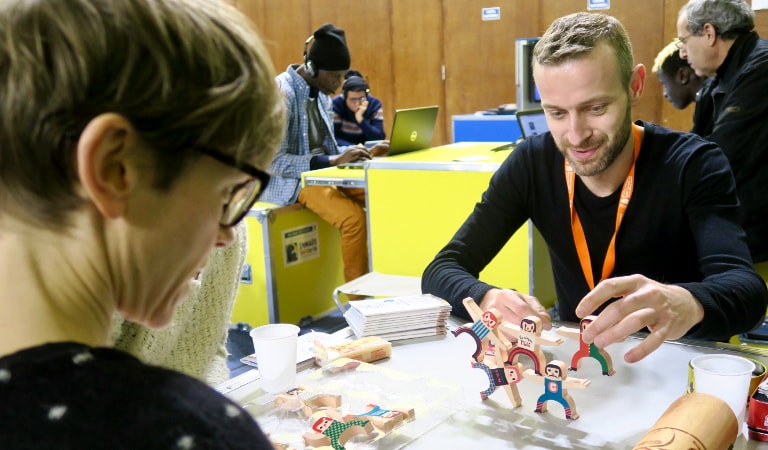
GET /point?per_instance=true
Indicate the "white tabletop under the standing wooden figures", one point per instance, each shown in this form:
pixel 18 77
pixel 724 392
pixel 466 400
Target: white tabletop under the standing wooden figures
pixel 615 411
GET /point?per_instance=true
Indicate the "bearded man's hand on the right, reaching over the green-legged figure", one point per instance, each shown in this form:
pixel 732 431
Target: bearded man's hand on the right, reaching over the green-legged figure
pixel 668 311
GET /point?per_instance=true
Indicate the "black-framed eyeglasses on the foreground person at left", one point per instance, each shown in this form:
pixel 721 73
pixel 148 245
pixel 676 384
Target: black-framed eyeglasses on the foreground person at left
pixel 244 195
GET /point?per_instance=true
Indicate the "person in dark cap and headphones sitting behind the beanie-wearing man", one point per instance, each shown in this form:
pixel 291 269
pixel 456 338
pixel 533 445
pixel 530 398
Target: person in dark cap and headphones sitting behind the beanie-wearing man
pixel 358 116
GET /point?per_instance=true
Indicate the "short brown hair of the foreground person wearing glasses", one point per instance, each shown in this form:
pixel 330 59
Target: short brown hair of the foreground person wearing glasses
pixel 184 72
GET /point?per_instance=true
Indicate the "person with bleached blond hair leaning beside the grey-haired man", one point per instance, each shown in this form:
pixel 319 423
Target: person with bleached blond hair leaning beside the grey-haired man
pixel 680 82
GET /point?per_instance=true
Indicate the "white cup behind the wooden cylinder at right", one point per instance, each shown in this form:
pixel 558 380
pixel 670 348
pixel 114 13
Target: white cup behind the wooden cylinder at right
pixel 726 377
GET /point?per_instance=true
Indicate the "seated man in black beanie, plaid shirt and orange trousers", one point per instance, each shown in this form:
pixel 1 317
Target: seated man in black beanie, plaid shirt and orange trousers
pixel 309 144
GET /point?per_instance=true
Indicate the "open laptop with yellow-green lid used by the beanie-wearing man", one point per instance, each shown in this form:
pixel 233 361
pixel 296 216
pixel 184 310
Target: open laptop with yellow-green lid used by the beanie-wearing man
pixel 412 130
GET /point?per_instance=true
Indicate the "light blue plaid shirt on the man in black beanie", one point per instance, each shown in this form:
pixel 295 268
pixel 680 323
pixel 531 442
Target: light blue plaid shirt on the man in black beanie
pixel 293 156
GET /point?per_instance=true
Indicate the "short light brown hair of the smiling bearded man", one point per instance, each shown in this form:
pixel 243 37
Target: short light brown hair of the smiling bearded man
pixel 577 35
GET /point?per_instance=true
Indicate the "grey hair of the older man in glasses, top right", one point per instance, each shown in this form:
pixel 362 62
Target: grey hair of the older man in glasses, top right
pixel 730 18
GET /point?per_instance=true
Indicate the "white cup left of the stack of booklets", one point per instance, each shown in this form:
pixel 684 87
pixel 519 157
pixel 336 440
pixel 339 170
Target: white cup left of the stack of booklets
pixel 275 347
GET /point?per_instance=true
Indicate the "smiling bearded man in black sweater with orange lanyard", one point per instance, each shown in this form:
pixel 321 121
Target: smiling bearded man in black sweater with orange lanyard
pixel 641 222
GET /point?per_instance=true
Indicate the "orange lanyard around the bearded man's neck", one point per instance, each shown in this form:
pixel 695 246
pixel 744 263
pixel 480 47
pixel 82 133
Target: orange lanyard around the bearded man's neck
pixel 578 231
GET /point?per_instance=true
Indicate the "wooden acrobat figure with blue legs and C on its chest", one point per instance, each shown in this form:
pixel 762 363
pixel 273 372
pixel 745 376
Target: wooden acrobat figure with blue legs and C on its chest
pixel 556 382
